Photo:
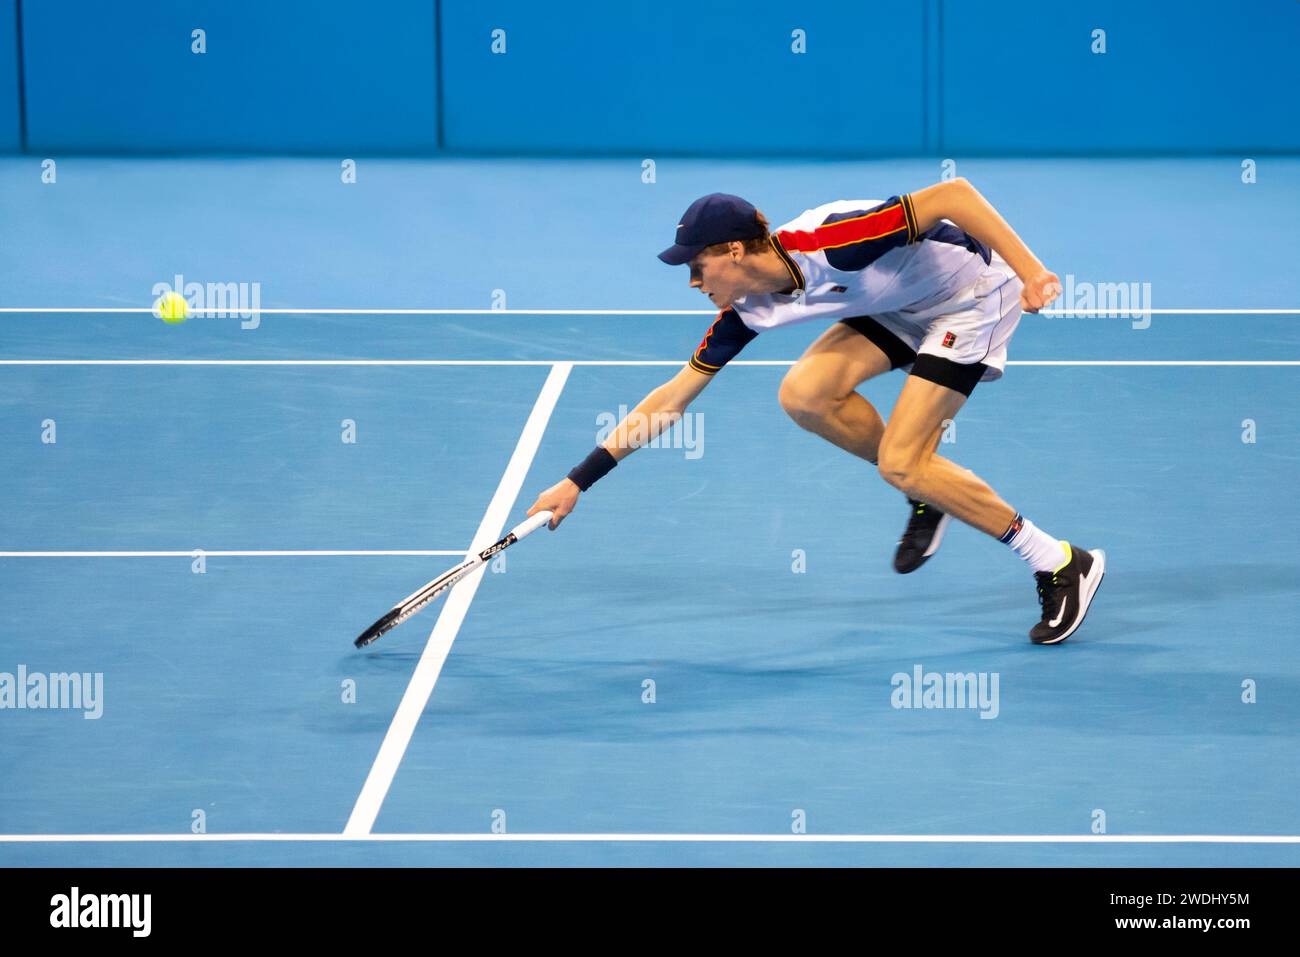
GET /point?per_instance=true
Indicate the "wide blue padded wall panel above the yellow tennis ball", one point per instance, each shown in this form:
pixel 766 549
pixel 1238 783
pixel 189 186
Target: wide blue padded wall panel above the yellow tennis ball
pixel 283 76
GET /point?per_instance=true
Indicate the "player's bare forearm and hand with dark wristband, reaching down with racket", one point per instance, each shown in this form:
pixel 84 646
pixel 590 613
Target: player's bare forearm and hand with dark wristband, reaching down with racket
pixel 658 412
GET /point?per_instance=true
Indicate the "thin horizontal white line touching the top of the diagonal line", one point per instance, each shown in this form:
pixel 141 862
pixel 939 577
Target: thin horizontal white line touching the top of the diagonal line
pixel 597 362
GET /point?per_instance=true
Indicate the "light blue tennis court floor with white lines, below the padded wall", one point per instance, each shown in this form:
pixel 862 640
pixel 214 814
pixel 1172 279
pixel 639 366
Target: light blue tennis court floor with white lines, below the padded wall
pixel 203 535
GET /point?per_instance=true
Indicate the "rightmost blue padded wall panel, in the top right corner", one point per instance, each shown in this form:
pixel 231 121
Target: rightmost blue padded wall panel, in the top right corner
pixel 1198 76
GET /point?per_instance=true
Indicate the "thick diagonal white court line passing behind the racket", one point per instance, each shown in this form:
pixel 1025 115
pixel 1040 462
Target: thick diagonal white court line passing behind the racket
pixel 456 607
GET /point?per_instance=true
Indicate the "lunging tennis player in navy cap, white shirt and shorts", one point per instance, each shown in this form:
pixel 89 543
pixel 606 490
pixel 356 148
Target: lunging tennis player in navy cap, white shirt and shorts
pixel 931 283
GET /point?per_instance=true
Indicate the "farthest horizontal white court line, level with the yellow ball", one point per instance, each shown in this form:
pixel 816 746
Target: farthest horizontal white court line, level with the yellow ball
pixel 149 311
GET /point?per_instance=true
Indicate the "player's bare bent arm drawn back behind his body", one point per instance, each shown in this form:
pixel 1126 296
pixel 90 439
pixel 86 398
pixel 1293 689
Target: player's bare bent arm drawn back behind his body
pixel 959 202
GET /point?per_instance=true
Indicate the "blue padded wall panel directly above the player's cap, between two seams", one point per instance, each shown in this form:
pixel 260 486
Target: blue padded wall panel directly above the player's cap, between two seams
pixel 684 77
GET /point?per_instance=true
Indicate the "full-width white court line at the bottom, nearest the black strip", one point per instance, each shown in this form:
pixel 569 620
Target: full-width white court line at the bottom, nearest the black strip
pixel 658 838
